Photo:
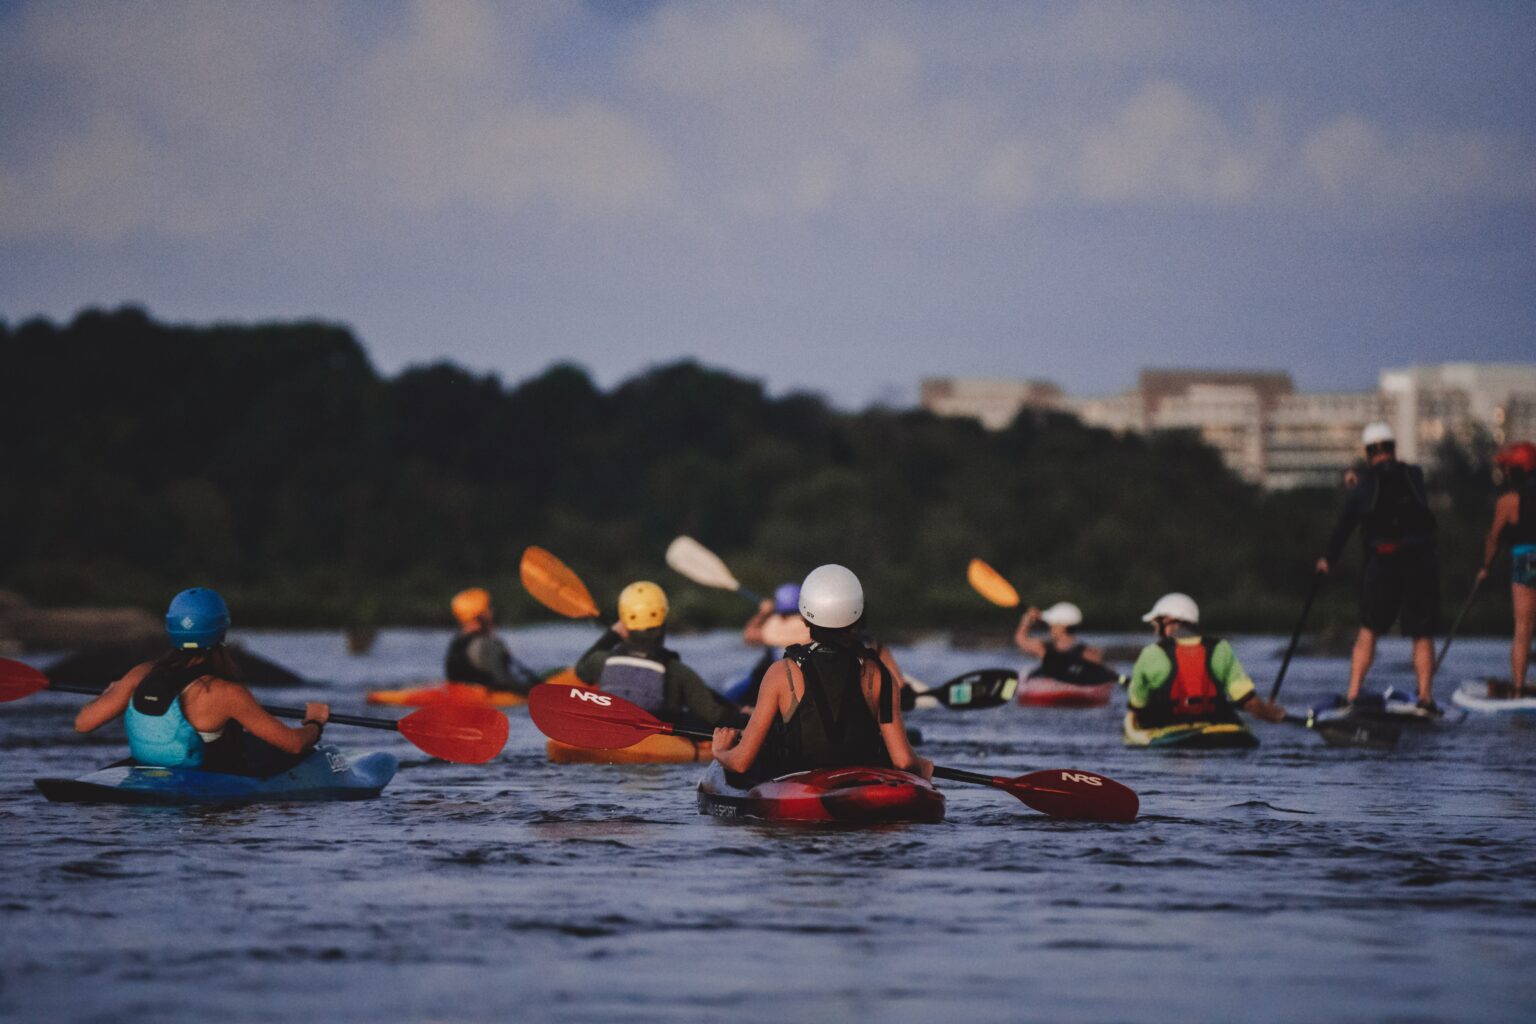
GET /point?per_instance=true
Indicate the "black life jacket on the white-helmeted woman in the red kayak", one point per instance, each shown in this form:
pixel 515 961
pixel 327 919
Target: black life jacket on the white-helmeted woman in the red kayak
pixel 833 727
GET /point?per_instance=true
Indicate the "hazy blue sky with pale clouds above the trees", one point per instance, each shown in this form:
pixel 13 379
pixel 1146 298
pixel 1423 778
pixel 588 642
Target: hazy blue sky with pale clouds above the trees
pixel 839 197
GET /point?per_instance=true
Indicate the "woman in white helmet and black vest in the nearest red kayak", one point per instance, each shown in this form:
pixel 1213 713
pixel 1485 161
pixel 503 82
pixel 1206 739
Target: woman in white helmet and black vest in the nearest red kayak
pixel 829 704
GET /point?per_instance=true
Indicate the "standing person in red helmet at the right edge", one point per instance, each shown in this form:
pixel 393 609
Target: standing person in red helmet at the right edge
pixel 1515 523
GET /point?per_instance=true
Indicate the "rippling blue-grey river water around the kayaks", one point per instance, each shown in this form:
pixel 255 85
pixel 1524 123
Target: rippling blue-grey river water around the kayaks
pixel 1291 884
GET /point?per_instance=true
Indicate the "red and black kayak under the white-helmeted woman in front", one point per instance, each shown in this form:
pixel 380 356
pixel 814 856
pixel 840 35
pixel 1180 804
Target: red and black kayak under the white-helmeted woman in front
pixel 852 796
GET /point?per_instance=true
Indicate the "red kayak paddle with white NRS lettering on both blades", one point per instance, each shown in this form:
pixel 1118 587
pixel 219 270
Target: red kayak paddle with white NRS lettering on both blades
pixel 591 718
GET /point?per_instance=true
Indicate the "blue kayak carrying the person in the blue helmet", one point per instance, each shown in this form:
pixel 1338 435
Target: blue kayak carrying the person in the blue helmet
pixel 326 775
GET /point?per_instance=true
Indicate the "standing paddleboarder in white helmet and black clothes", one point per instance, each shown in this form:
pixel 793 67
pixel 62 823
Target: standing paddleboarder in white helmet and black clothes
pixel 1400 580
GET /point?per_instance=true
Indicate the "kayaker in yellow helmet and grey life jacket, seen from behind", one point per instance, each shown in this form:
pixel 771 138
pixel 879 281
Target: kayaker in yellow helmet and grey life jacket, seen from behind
pixel 632 661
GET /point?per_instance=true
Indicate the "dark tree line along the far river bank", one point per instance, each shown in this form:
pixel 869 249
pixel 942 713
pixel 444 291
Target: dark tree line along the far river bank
pixel 276 463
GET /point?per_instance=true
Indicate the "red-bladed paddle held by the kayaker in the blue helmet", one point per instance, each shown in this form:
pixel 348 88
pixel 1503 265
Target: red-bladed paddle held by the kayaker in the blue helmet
pixel 468 735
